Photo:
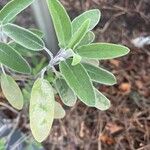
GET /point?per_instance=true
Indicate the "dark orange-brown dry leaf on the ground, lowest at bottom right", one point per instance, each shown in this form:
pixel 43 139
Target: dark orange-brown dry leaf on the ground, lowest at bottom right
pixel 104 138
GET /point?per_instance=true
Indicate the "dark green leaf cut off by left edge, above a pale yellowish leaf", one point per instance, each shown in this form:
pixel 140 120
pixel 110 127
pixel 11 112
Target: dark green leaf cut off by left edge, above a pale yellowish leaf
pixel 12 59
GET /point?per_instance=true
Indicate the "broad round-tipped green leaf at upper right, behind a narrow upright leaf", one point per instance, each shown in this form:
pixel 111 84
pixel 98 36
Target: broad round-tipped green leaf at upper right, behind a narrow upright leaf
pixel 94 16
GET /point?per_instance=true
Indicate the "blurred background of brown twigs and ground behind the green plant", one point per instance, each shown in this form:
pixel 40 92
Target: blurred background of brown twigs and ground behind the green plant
pixel 126 125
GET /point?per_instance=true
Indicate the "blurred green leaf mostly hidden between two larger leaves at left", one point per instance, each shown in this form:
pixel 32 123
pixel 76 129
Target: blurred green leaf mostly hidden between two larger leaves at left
pixel 21 50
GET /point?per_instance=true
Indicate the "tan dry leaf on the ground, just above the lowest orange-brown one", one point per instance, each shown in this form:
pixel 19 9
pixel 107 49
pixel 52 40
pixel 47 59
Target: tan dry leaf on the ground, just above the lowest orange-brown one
pixel 113 128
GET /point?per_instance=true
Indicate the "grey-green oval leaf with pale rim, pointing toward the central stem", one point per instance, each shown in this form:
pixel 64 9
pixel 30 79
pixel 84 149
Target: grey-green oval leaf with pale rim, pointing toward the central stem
pixel 23 37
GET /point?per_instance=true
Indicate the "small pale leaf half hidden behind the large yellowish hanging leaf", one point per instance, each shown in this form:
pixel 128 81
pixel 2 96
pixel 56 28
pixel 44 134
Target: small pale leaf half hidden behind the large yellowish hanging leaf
pixel 59 112
